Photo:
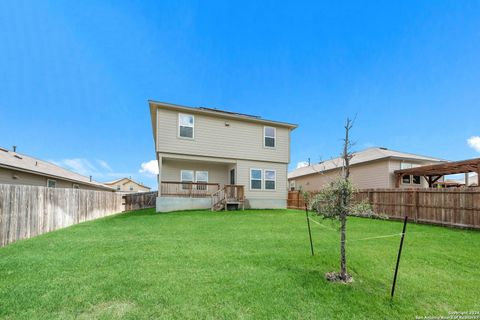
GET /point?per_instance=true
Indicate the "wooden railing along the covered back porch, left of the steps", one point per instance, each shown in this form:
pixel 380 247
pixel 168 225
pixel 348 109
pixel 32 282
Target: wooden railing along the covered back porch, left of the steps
pixel 188 189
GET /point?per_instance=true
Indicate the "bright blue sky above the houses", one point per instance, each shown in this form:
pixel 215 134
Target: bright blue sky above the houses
pixel 75 77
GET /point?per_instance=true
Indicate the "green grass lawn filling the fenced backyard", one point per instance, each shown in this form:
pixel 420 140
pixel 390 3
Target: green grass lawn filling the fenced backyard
pixel 230 265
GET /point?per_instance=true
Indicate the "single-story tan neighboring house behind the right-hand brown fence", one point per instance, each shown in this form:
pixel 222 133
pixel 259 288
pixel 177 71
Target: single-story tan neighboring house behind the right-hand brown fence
pixel 370 168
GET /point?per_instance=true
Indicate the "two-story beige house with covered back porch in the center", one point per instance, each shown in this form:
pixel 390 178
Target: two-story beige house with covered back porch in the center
pixel 208 157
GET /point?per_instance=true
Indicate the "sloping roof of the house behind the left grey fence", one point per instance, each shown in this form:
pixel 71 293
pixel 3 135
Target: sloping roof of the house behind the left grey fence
pixel 20 162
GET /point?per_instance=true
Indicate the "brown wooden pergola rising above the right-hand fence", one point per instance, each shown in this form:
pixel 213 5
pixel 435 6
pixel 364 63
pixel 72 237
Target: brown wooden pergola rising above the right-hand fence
pixel 432 173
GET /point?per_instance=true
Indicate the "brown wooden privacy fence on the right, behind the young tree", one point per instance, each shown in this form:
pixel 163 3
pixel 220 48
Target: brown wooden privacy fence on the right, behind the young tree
pixel 448 207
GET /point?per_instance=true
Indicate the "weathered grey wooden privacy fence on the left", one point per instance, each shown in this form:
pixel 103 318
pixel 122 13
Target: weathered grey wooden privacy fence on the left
pixel 27 211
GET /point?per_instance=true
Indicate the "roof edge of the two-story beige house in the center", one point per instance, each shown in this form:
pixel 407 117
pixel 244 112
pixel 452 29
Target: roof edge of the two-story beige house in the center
pixel 213 112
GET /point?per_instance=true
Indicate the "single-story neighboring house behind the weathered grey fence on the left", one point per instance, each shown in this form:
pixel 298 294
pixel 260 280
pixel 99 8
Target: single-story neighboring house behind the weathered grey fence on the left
pixel 20 169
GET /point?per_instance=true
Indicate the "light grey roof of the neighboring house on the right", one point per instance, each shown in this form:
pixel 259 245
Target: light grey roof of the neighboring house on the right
pixel 367 155
